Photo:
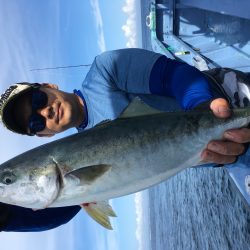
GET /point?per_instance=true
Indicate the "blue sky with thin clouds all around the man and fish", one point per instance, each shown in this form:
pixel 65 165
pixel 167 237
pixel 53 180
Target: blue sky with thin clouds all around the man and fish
pixel 37 34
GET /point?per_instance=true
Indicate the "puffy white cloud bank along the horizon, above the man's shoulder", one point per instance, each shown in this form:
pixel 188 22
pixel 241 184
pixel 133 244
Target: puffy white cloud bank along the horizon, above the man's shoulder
pixel 130 29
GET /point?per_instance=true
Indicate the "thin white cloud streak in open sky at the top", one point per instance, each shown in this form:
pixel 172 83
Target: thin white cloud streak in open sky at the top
pixel 99 24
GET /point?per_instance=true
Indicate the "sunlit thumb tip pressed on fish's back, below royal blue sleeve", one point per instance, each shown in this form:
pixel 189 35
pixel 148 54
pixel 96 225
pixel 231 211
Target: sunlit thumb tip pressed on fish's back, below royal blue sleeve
pixel 220 108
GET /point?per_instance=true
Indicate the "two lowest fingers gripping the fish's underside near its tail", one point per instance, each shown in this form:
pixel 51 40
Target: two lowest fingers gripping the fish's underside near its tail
pixel 222 152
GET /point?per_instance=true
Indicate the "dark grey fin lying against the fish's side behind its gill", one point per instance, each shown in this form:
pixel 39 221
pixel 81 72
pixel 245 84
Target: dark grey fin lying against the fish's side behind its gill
pixel 90 173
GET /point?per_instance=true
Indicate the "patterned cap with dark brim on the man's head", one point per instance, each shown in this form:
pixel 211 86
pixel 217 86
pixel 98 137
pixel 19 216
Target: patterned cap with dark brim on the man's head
pixel 8 102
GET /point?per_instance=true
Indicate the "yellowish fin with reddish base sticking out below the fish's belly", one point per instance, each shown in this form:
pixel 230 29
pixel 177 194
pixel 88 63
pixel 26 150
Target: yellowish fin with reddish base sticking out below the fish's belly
pixel 100 211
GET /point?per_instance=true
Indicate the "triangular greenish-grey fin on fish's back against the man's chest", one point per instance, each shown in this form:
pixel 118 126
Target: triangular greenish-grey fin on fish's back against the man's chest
pixel 138 108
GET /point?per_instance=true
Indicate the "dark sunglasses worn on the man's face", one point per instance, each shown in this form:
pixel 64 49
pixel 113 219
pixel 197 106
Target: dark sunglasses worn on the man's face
pixel 37 122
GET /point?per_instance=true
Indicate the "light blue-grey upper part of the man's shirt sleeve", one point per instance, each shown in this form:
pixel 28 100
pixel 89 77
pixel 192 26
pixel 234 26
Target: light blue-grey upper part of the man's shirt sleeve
pixel 126 69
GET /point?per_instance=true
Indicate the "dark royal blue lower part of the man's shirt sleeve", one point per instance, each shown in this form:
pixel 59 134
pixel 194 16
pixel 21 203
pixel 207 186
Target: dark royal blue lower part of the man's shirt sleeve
pixel 181 81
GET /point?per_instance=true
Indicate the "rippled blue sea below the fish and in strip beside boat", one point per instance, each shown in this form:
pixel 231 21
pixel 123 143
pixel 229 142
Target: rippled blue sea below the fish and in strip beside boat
pixel 200 208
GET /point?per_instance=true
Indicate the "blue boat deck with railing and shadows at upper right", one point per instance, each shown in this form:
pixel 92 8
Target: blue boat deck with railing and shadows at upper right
pixel 218 31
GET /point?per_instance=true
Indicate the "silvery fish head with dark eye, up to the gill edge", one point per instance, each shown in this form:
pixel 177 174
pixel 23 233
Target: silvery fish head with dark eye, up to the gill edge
pixel 29 183
